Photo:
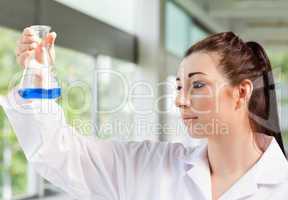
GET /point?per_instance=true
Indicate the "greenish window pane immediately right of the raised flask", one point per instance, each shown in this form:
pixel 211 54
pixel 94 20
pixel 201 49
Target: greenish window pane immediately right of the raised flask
pixel 75 74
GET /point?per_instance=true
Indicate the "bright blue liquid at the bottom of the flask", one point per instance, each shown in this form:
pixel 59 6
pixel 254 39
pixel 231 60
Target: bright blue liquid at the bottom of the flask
pixel 40 93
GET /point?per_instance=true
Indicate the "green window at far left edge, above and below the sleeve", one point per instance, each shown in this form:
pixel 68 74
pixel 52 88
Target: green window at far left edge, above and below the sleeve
pixel 13 167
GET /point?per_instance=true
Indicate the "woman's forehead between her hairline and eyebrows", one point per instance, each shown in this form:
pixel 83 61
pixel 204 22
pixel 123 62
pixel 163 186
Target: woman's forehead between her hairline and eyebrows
pixel 203 64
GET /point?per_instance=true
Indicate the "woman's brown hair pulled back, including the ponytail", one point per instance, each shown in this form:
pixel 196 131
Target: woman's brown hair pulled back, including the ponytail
pixel 239 61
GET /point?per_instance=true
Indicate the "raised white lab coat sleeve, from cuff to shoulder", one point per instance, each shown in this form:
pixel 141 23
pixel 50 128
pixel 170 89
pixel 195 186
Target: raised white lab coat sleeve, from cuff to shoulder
pixel 83 166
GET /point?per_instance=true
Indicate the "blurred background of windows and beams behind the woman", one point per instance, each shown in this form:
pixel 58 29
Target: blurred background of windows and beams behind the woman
pixel 141 42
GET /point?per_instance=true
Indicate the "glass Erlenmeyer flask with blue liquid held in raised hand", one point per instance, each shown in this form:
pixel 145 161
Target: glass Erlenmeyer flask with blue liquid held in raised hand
pixel 39 80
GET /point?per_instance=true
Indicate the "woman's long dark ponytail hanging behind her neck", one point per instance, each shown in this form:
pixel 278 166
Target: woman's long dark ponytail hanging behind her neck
pixel 271 124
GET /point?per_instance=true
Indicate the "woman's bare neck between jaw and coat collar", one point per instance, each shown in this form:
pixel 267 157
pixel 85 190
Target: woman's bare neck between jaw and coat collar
pixel 233 154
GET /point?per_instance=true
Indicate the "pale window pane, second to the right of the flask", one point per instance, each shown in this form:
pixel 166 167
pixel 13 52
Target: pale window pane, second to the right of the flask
pixel 115 114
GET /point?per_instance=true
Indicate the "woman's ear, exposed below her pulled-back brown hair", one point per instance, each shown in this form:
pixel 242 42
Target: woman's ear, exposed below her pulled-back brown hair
pixel 242 93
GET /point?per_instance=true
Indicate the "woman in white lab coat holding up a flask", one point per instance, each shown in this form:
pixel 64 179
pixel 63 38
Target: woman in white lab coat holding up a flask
pixel 222 79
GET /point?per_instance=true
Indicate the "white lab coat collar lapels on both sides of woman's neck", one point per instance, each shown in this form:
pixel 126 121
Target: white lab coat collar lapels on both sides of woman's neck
pixel 272 168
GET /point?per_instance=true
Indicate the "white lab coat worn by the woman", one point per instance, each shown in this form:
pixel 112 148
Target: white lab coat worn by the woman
pixel 87 168
